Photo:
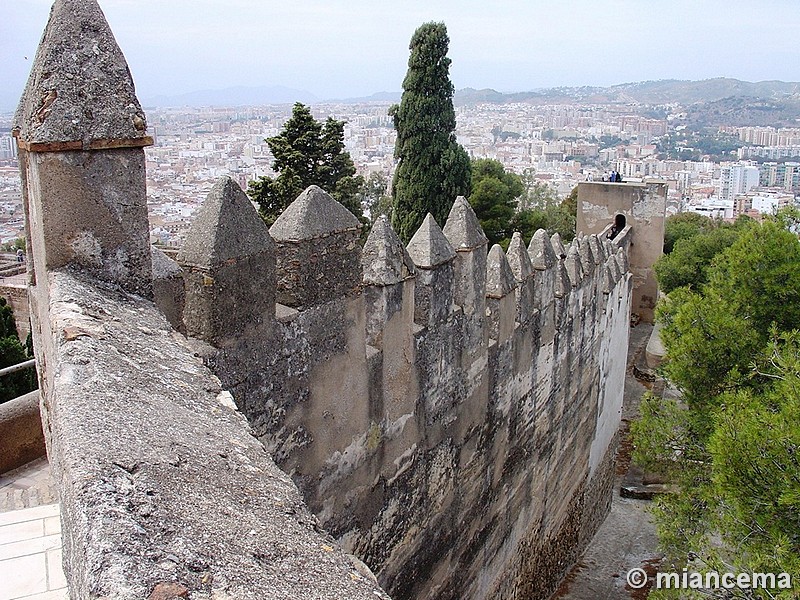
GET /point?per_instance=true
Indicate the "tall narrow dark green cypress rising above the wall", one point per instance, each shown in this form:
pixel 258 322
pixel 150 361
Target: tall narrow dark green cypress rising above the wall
pixel 433 169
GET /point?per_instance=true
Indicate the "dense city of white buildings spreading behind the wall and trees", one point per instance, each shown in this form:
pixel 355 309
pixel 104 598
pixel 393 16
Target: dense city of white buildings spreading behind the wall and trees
pixel 556 145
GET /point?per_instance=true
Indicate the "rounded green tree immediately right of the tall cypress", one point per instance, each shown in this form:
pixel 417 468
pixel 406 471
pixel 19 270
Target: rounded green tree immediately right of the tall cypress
pixel 494 198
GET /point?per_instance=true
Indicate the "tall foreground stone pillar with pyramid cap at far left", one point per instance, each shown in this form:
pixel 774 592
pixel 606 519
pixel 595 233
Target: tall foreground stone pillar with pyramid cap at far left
pixel 81 132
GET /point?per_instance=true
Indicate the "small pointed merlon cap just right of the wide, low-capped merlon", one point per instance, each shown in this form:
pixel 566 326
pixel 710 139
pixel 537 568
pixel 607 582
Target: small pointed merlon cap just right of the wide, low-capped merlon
pixel 384 260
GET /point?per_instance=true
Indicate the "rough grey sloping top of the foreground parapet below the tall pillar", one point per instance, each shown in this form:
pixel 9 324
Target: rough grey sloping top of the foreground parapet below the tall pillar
pixel 160 479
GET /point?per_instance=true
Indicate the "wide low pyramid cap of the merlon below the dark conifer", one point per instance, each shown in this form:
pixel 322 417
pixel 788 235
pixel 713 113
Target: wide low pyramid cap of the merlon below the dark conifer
pixel 314 213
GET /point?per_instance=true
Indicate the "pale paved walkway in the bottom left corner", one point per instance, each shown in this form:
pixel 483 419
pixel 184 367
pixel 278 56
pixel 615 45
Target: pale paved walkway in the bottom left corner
pixel 30 536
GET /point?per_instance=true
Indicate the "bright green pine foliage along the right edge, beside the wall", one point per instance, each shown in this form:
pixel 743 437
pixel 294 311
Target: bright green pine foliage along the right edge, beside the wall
pixel 731 444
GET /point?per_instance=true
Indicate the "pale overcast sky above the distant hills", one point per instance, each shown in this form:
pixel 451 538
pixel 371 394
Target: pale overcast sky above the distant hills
pixel 347 48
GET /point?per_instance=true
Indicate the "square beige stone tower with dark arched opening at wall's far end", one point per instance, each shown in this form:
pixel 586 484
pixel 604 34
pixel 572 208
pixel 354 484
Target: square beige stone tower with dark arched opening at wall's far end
pixel 639 211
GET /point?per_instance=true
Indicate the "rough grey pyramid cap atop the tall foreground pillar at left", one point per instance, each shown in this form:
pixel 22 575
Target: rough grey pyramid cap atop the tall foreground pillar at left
pixel 80 94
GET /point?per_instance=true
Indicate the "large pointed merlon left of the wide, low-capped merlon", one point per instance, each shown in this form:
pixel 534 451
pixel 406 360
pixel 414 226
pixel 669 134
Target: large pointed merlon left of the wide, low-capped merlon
pixel 228 260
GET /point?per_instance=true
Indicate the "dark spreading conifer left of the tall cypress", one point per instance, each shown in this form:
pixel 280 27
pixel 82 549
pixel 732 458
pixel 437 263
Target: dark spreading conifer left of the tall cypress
pixel 306 153
